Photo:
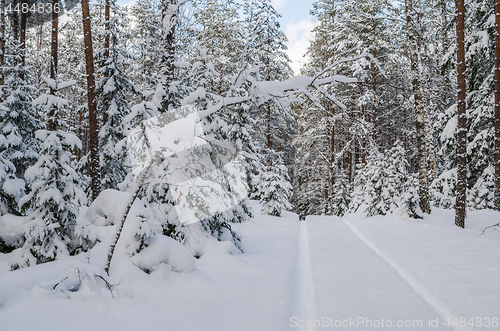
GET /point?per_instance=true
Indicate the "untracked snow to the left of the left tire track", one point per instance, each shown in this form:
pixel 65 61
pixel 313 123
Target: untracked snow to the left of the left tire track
pixel 248 291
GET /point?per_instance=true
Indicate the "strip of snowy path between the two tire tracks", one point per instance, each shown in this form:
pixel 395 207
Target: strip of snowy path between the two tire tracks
pixel 355 284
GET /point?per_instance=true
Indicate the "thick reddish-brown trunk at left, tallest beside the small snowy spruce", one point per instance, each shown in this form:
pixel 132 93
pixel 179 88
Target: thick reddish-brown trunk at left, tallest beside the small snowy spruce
pixel 95 182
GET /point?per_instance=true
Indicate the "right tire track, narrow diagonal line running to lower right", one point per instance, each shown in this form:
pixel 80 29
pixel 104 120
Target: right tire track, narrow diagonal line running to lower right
pixel 440 307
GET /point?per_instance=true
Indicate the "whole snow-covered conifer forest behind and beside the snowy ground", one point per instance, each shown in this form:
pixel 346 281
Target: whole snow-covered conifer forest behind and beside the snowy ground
pixel 161 127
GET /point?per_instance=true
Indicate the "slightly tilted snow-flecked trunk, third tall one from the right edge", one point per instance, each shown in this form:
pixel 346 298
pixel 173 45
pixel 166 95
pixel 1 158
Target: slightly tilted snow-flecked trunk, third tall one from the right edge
pixel 423 189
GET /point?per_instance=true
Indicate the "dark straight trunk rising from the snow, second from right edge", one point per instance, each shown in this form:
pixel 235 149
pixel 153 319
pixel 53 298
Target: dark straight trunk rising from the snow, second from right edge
pixel 462 119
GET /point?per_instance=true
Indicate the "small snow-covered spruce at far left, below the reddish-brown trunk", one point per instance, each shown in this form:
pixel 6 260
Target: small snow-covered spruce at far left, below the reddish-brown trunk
pixel 52 205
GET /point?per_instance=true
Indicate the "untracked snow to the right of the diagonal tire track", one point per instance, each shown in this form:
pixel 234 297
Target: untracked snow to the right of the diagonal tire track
pixel 453 268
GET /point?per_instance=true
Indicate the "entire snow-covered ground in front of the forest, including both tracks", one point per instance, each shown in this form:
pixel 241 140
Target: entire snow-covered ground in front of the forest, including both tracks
pixel 327 272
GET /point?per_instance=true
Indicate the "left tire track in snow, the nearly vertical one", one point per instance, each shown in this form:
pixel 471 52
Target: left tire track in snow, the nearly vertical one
pixel 303 304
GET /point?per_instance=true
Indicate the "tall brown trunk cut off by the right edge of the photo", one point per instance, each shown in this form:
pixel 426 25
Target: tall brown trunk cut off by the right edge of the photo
pixel 497 104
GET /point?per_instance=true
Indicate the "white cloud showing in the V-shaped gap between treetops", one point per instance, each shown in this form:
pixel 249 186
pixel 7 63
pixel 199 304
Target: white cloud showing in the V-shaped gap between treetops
pixel 299 36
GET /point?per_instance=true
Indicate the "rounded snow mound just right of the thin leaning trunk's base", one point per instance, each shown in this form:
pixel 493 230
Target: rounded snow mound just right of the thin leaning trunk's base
pixel 164 250
